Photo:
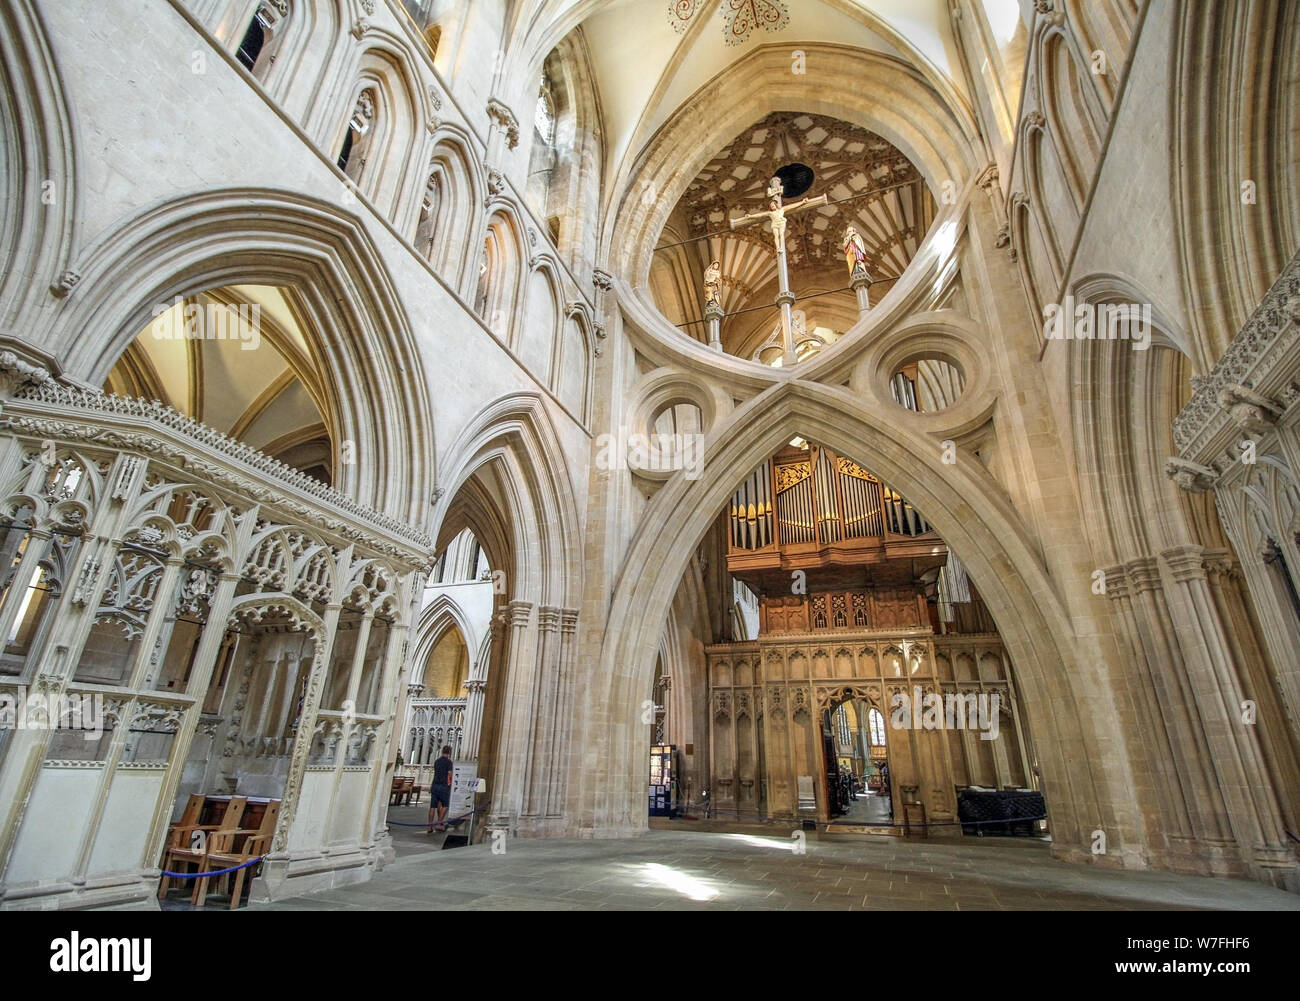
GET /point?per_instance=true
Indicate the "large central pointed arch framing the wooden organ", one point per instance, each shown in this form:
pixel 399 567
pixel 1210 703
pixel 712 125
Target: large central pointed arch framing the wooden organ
pixel 1061 675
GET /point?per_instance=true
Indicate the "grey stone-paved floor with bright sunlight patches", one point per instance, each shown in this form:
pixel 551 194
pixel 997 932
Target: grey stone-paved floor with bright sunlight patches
pixel 668 870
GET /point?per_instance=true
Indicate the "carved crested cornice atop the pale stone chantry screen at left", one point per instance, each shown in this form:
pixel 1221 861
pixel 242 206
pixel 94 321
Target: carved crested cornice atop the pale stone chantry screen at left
pixel 55 411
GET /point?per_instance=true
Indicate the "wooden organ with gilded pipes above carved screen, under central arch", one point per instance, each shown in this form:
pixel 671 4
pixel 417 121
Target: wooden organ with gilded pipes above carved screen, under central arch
pixel 863 612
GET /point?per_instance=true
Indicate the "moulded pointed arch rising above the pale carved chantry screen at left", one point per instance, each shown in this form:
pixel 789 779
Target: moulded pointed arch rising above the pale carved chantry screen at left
pixel 258 236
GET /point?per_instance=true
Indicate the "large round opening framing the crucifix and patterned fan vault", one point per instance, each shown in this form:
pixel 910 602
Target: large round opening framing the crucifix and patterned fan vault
pixel 878 210
